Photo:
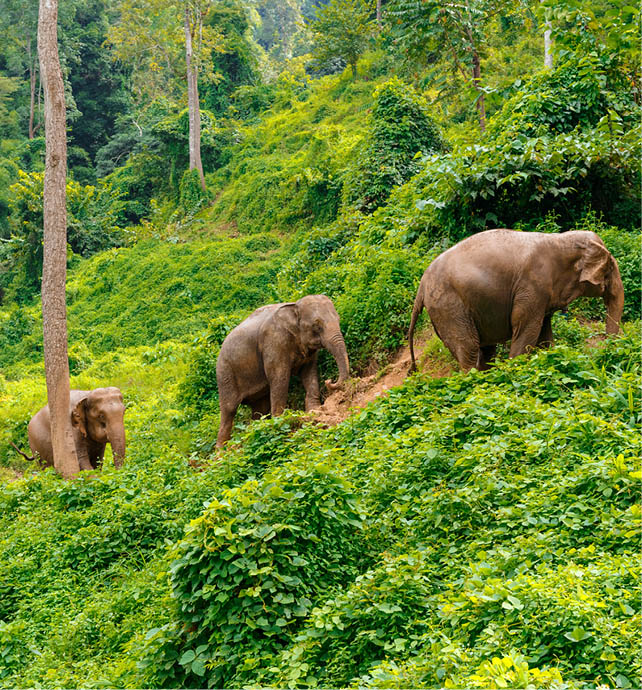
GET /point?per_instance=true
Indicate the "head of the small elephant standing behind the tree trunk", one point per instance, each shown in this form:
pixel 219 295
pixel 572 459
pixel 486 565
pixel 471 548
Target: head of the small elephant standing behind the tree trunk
pixel 98 417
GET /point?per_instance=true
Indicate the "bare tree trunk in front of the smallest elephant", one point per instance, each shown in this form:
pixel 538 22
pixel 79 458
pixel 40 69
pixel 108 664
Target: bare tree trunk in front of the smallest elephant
pixel 54 265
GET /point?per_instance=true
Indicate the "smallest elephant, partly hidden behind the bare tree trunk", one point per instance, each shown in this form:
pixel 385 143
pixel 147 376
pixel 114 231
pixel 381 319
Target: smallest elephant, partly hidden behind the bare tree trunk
pixel 96 418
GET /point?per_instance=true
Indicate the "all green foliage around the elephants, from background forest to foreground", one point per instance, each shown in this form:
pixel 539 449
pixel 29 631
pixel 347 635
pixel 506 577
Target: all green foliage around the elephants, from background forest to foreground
pixel 475 530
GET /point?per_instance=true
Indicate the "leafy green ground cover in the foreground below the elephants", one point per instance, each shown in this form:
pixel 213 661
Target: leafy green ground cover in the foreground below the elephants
pixel 477 529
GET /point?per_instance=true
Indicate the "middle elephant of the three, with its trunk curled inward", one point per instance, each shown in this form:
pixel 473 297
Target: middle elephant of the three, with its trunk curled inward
pixel 258 357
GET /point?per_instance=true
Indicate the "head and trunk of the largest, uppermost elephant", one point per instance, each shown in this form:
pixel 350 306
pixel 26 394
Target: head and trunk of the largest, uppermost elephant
pixel 599 276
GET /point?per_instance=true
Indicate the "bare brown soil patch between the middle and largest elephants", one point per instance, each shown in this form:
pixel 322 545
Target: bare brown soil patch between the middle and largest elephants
pixel 359 392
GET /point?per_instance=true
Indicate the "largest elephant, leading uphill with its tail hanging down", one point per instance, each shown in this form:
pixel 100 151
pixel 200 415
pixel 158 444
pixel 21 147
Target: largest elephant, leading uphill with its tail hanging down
pixel 502 285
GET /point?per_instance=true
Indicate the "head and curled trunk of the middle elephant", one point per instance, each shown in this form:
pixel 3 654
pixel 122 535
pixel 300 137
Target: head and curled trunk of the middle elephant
pixel 317 326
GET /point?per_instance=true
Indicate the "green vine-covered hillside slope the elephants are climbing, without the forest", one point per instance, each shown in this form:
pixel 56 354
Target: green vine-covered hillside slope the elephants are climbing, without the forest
pixel 473 530
